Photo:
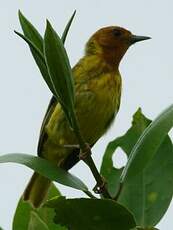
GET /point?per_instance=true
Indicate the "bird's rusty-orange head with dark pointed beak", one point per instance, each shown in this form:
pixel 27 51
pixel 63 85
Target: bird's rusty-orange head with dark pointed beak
pixel 111 43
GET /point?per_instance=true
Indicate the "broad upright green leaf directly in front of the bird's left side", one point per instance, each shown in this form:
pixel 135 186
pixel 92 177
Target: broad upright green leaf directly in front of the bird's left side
pixel 59 70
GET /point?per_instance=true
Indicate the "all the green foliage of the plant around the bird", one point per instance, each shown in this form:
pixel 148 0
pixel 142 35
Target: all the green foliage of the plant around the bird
pixel 139 194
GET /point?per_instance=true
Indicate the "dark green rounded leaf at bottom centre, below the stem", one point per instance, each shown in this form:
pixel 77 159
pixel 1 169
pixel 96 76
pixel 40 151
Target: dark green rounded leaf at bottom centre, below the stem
pixel 93 214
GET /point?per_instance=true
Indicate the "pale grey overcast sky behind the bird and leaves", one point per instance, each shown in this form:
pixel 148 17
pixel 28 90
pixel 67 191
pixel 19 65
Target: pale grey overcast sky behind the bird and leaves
pixel 147 72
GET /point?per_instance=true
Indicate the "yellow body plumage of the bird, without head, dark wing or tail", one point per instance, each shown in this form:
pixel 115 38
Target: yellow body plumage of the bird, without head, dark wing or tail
pixel 97 101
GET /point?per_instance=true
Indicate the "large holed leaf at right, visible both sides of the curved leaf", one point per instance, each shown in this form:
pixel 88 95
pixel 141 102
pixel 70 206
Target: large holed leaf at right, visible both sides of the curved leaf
pixel 149 193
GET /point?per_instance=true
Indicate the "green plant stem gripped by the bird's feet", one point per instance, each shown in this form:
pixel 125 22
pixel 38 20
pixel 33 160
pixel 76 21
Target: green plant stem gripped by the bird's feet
pixel 86 157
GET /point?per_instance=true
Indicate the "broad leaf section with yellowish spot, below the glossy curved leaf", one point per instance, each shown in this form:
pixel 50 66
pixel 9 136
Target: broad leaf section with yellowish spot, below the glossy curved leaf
pixel 150 192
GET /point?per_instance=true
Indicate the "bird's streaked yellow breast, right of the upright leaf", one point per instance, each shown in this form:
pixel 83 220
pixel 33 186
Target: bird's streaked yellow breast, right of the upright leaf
pixel 100 103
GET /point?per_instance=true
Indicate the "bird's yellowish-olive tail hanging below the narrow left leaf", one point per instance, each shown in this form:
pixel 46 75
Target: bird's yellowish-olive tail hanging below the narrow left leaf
pixel 36 190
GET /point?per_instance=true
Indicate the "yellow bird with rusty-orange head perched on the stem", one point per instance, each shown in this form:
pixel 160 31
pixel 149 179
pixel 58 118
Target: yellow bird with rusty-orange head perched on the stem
pixel 98 86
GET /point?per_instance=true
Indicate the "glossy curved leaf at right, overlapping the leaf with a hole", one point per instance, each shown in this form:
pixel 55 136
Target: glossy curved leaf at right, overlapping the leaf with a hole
pixel 148 144
